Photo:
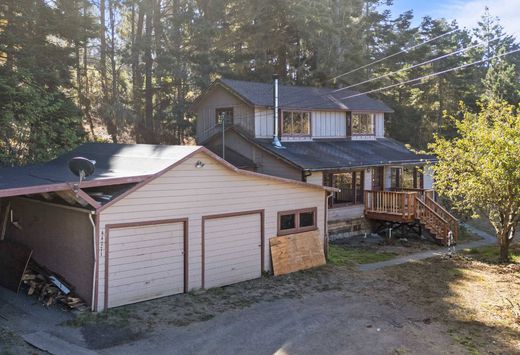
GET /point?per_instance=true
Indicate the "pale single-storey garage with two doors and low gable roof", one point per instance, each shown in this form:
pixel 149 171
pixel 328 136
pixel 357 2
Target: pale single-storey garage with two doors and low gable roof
pixel 153 220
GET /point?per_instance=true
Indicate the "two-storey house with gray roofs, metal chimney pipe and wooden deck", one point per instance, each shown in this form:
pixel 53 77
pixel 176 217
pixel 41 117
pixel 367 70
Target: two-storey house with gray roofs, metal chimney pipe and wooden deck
pixel 324 136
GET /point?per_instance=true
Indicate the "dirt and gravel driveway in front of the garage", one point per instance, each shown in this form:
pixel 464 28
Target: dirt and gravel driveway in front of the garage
pixel 460 305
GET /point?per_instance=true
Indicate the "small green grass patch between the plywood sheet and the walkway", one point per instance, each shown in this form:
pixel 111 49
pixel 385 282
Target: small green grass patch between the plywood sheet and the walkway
pixel 342 256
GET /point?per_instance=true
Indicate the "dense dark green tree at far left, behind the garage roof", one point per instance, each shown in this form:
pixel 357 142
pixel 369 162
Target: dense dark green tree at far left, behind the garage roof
pixel 38 119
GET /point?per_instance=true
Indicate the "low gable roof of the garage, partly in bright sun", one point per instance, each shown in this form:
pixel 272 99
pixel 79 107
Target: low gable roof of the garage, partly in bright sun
pixel 115 164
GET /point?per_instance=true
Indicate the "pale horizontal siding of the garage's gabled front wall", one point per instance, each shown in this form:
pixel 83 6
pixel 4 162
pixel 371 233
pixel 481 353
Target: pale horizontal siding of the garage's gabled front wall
pixel 189 192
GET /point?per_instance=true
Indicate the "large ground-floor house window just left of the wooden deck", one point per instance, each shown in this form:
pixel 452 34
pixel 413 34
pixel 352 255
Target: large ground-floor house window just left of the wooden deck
pixel 350 183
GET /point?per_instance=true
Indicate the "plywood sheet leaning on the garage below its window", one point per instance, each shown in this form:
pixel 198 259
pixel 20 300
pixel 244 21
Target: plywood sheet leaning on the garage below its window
pixel 296 252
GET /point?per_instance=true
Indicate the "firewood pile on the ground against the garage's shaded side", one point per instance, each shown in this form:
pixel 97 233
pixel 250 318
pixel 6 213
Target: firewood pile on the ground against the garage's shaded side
pixel 49 288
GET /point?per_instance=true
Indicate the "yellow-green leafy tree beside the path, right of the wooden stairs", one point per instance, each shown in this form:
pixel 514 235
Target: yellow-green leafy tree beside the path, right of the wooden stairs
pixel 479 169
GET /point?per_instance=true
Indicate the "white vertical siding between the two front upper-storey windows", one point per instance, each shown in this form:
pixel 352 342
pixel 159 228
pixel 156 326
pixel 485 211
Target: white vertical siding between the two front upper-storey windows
pixel 329 124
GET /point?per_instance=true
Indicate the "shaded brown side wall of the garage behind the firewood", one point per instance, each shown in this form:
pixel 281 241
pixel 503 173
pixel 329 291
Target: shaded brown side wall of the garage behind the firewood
pixel 61 240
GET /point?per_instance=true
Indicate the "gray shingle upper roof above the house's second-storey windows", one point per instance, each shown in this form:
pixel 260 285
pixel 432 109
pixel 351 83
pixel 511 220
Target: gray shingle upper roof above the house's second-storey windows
pixel 304 97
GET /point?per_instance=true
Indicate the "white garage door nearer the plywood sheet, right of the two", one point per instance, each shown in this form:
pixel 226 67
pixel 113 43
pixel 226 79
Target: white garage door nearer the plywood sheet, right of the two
pixel 232 249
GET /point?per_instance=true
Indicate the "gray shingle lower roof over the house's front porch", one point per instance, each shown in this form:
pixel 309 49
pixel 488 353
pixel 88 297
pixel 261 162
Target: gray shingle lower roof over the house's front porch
pixel 335 154
